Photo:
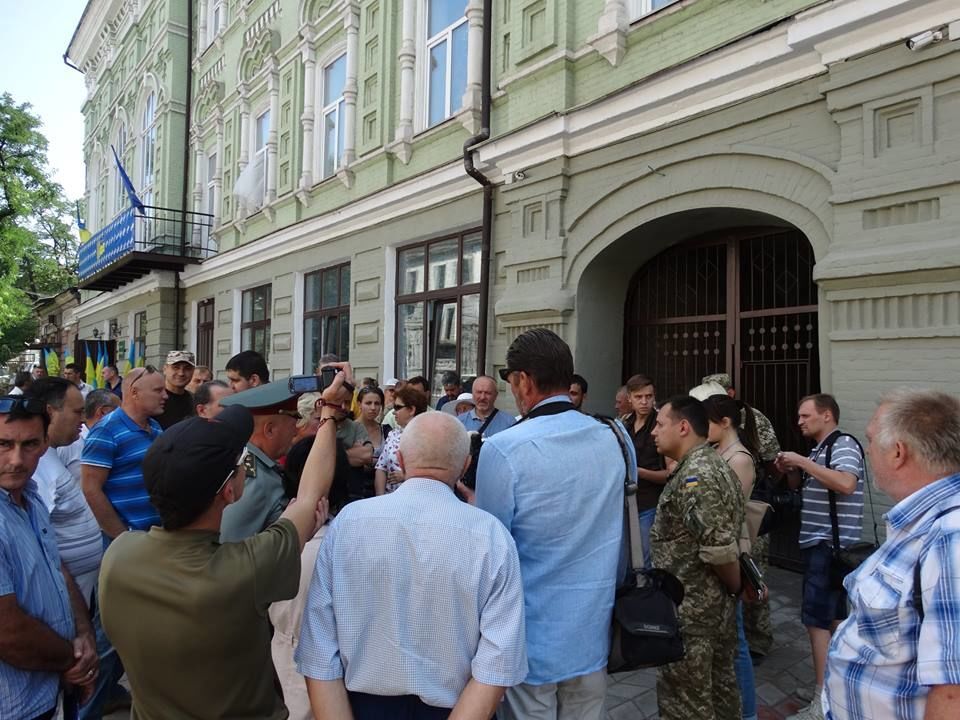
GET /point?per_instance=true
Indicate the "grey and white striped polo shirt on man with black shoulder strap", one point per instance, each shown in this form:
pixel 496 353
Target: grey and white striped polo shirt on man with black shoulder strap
pixel 815 524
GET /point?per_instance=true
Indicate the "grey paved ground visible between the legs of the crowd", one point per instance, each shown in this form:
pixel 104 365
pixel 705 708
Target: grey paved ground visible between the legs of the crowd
pixel 783 673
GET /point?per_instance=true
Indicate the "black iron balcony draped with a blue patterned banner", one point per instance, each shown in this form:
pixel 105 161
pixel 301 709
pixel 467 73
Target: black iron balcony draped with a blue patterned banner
pixel 135 243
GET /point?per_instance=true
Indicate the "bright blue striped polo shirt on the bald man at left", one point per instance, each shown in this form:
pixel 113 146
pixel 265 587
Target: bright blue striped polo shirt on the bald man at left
pixel 119 444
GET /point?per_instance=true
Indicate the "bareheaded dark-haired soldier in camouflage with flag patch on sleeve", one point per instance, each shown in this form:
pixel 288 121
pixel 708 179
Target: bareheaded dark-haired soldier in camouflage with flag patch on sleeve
pixel 695 536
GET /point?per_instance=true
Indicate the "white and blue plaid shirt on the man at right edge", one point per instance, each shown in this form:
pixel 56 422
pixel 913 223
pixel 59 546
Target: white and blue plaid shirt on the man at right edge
pixel 883 660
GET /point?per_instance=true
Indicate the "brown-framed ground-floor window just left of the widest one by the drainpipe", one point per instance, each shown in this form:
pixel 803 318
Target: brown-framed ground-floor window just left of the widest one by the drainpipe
pixel 326 316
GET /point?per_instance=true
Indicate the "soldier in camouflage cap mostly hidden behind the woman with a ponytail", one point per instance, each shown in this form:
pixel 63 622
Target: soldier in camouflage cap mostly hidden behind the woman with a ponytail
pixel 756 615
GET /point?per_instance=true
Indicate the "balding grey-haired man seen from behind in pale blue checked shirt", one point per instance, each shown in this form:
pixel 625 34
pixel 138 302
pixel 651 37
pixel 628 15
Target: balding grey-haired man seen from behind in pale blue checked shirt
pixel 446 618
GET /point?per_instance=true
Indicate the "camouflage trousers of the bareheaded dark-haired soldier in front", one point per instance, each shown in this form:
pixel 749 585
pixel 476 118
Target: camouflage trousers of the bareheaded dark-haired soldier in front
pixel 702 686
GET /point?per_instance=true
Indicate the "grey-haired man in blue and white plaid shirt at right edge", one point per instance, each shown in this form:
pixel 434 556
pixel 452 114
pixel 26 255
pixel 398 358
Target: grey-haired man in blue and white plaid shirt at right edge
pixel 897 655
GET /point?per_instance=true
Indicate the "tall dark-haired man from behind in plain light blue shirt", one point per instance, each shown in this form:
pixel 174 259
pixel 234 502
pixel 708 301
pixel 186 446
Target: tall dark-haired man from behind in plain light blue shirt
pixel 555 480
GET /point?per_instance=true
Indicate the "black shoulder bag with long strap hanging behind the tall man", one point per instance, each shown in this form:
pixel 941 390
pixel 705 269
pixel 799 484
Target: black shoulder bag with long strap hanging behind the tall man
pixel 645 626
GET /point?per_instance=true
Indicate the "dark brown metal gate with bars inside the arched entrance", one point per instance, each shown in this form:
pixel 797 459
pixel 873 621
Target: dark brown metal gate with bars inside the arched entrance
pixel 742 301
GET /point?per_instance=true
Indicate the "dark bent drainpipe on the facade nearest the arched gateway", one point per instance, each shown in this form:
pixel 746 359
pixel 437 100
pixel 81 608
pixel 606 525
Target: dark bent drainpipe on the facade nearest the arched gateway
pixel 486 231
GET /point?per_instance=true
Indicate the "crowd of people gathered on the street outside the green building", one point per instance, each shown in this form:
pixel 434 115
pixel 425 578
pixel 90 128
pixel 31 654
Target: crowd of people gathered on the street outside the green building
pixel 238 549
